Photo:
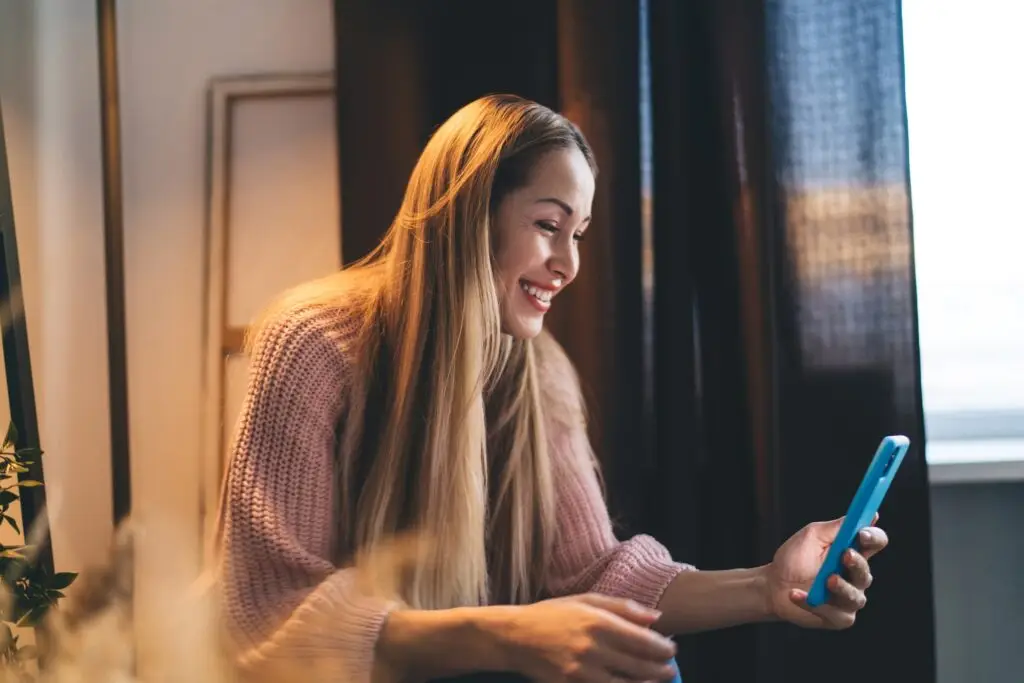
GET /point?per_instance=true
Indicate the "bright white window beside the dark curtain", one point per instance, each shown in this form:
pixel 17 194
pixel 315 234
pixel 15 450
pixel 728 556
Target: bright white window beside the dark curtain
pixel 965 111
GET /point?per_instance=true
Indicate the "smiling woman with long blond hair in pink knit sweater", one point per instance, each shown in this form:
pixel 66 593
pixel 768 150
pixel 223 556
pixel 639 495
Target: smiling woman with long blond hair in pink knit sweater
pixel 418 393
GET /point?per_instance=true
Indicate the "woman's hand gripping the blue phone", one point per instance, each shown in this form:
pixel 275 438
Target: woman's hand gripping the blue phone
pixel 797 563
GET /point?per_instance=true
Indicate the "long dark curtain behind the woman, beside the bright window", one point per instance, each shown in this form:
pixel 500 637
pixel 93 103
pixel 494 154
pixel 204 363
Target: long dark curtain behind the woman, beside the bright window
pixel 744 322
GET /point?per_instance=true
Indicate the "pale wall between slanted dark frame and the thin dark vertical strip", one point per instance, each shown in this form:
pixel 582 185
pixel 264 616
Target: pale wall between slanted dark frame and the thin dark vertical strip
pixel 48 88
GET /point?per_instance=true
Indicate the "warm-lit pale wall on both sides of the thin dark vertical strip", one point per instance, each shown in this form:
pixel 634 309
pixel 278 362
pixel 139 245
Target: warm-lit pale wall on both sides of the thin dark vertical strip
pixel 169 50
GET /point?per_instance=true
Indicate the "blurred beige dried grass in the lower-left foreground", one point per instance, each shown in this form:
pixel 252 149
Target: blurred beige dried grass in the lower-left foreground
pixel 107 631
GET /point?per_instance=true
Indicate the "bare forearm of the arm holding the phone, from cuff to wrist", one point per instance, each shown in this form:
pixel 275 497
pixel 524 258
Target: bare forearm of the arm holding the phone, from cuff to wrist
pixel 709 601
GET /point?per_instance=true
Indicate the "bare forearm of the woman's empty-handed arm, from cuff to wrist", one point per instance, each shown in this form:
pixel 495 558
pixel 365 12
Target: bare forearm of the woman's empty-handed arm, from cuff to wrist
pixel 417 646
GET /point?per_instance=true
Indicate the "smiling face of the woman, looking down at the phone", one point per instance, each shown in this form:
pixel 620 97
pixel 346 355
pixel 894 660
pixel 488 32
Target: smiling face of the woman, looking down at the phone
pixel 537 231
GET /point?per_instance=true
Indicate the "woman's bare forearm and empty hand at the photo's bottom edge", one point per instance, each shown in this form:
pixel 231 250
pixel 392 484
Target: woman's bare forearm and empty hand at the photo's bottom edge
pixel 591 638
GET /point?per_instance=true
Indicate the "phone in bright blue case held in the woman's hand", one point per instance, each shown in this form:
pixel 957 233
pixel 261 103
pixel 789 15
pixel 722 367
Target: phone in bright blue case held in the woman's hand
pixel 863 508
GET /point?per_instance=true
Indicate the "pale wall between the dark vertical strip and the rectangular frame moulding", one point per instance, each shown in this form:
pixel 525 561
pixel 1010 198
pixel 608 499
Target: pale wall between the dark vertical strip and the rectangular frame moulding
pixel 169 52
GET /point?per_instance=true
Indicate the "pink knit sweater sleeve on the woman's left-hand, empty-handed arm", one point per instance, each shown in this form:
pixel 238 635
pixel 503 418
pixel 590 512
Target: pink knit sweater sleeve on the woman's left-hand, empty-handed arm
pixel 284 602
